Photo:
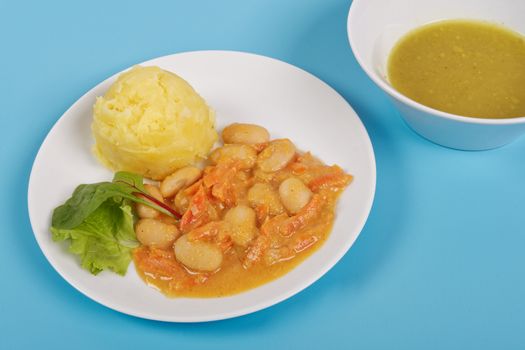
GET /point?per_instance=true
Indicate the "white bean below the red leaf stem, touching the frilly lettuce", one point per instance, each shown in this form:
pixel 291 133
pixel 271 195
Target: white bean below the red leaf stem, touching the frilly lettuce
pixel 155 233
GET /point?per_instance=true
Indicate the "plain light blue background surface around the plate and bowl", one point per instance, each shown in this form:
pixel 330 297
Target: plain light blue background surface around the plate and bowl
pixel 439 264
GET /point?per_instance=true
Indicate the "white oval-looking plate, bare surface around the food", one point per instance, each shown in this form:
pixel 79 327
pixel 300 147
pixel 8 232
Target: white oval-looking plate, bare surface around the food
pixel 241 87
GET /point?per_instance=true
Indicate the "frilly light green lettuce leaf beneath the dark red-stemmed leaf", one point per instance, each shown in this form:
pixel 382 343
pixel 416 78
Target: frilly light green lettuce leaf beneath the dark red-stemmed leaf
pixel 104 238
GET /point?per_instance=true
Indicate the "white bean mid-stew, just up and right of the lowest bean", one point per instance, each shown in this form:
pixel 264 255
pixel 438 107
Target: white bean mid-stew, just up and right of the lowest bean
pixel 242 221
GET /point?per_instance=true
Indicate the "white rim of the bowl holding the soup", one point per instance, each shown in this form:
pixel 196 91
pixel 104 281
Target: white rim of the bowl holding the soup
pixel 354 8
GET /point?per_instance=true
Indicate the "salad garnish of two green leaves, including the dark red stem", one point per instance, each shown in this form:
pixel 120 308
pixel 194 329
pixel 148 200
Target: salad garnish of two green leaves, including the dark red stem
pixel 98 221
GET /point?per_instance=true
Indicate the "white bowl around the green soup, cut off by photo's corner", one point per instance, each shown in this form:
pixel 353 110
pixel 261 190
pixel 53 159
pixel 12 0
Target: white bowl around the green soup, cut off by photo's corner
pixel 374 26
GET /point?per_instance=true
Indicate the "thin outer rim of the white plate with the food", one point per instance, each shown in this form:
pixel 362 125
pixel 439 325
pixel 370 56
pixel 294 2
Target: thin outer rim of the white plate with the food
pixel 266 303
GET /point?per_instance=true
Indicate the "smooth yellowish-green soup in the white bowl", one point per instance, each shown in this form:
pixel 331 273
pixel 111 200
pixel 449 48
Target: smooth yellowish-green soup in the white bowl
pixel 464 67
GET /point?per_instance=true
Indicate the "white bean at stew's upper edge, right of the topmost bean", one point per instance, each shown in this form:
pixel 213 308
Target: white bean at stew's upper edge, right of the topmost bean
pixel 276 155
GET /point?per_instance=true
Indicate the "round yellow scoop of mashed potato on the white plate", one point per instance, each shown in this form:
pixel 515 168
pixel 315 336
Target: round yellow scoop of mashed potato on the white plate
pixel 152 122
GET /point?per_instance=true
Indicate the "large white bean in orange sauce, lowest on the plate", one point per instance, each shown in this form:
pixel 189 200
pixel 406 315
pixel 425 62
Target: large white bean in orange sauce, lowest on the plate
pixel 198 255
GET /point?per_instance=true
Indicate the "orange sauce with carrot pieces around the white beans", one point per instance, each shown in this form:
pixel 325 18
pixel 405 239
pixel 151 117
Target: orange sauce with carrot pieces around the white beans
pixel 287 241
